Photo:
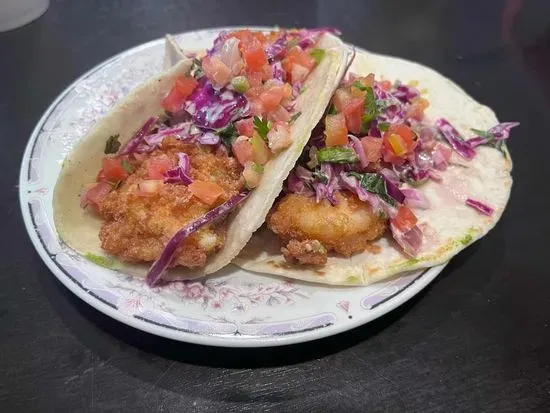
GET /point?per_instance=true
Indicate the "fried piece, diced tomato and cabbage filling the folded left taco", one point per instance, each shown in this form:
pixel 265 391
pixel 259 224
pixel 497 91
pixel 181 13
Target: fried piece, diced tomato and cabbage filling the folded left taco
pixel 160 195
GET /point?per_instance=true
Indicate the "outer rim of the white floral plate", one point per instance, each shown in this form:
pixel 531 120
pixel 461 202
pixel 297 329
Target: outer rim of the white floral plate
pixel 412 289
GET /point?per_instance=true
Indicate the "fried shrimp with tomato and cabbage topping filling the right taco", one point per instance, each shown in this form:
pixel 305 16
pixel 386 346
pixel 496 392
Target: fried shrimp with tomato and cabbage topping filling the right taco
pixel 360 172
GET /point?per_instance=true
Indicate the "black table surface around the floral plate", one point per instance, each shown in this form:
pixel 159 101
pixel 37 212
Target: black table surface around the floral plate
pixel 477 339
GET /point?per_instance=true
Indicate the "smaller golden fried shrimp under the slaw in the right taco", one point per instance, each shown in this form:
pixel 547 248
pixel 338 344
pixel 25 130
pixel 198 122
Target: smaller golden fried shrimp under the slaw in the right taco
pixel 346 228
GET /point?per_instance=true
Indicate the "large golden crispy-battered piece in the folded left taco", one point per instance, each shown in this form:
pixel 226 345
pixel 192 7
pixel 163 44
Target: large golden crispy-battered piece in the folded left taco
pixel 136 227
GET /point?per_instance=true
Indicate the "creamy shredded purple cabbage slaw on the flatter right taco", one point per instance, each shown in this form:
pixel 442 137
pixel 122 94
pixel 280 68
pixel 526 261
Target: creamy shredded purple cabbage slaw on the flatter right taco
pixel 431 156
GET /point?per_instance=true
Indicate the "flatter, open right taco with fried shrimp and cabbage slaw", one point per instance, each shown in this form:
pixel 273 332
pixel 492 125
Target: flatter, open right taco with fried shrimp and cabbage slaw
pixel 404 171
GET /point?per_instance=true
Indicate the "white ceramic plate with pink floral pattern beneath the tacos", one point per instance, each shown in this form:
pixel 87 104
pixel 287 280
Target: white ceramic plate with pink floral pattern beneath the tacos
pixel 234 308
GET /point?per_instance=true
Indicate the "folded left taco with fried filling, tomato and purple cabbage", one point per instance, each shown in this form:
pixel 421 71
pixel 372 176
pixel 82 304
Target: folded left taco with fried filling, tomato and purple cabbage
pixel 184 169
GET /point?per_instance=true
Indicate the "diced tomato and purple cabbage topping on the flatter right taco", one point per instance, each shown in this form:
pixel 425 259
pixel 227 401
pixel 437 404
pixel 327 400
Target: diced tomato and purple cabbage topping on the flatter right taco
pixel 373 140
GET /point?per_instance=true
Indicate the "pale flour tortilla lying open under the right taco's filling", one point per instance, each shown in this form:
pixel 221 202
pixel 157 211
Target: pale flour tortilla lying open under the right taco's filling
pixel 448 226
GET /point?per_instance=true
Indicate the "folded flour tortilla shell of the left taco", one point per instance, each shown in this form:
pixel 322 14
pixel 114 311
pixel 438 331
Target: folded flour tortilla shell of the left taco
pixel 79 228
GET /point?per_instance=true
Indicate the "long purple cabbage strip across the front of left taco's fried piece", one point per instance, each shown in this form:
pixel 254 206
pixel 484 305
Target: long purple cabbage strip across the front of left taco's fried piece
pixel 160 266
